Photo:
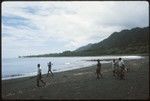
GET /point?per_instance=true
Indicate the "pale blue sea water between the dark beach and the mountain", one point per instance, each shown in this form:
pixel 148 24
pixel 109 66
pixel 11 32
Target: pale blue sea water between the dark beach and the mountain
pixel 23 67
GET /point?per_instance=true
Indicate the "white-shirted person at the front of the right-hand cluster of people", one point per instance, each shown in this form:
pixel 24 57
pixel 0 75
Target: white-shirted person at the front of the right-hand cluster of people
pixel 122 68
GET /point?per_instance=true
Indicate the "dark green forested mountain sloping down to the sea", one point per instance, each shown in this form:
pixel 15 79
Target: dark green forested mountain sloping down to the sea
pixel 134 41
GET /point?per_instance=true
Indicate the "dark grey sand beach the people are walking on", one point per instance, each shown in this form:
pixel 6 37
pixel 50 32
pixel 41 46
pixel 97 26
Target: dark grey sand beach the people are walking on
pixel 82 84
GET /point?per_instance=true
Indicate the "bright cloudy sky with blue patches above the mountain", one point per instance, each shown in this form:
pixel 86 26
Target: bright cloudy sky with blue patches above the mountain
pixel 35 27
